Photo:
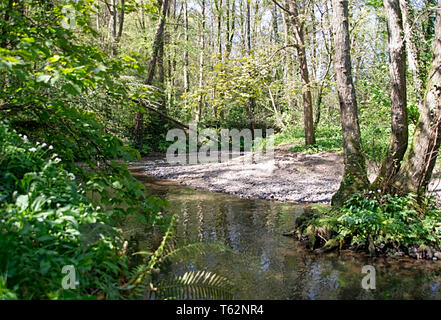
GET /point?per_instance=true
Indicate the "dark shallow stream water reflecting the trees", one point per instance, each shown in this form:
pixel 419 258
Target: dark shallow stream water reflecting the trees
pixel 264 264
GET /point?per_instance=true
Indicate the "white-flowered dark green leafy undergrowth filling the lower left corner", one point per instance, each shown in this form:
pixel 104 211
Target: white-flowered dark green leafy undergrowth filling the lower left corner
pixel 47 222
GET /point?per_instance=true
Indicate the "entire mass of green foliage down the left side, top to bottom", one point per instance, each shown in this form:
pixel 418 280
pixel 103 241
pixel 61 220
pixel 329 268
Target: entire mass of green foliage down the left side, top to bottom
pixel 64 189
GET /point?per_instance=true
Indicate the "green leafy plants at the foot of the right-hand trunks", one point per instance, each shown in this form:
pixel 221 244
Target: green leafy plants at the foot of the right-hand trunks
pixel 390 220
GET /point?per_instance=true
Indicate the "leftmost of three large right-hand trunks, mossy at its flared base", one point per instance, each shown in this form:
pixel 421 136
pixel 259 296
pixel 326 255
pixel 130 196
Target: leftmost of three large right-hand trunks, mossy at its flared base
pixel 355 175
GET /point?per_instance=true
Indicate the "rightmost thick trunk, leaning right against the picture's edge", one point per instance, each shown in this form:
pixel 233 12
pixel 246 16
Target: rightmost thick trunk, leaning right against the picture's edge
pixel 416 169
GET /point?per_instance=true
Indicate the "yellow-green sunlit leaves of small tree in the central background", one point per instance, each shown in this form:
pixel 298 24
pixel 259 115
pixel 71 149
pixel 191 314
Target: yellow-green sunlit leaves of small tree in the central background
pixel 240 87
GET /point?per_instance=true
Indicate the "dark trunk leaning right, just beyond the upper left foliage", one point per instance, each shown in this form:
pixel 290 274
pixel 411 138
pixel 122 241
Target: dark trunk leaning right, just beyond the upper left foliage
pixel 151 73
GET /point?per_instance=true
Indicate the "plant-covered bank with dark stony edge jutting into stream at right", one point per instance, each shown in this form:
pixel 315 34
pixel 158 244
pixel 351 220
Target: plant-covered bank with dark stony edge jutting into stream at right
pixel 380 223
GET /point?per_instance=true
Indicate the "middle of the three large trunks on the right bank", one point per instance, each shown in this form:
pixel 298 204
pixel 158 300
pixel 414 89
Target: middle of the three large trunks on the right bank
pixel 399 137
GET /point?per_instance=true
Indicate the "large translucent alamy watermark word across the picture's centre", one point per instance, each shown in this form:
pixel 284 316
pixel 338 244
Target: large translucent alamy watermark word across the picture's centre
pixel 233 143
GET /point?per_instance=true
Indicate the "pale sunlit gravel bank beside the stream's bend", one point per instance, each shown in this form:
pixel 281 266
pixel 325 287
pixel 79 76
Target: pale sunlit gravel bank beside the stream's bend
pixel 292 176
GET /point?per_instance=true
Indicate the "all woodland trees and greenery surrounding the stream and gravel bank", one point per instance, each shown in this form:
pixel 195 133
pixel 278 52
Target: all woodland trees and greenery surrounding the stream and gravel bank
pixel 90 86
